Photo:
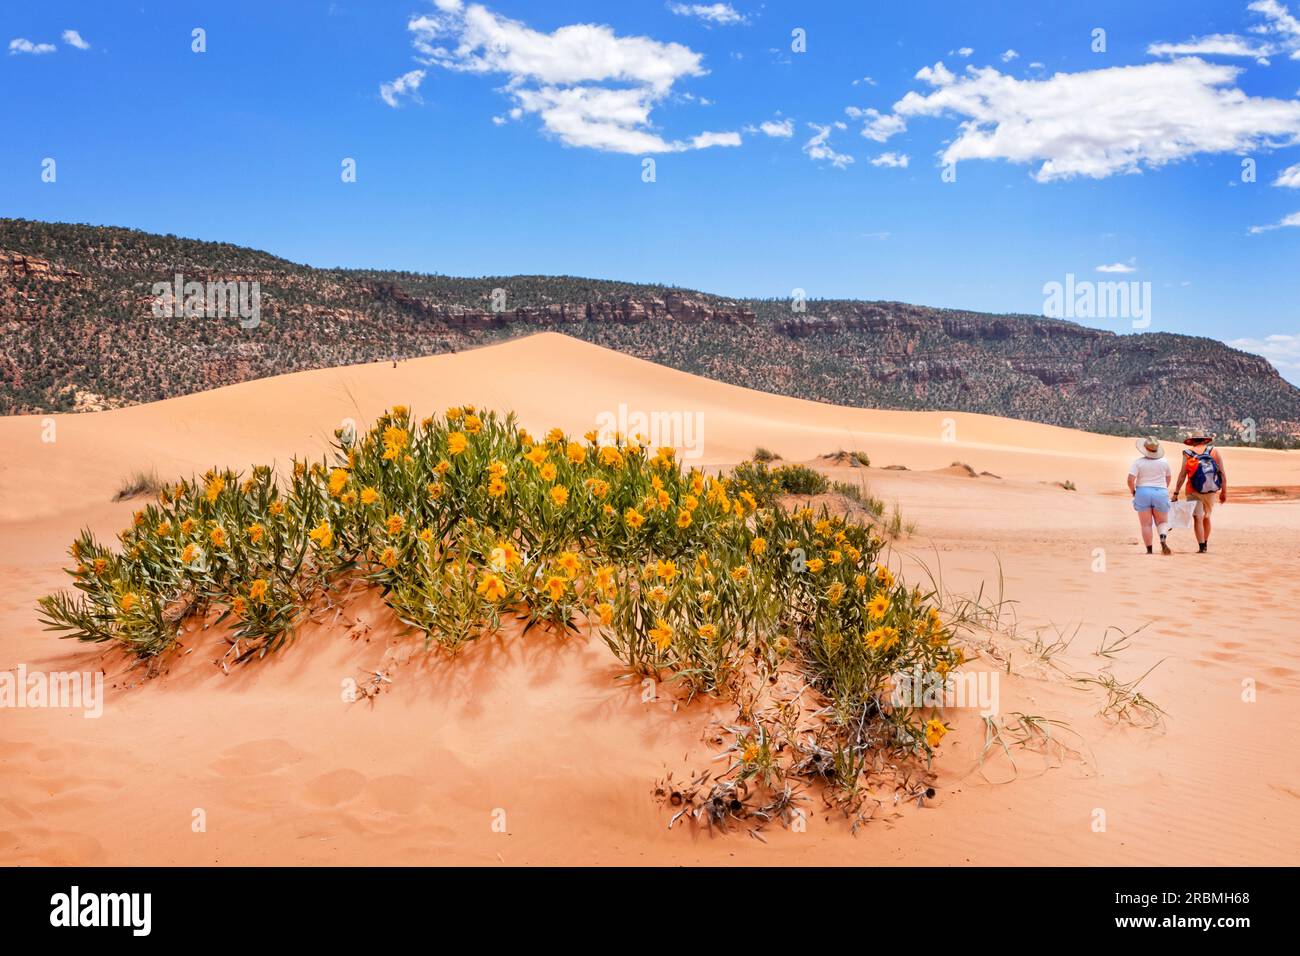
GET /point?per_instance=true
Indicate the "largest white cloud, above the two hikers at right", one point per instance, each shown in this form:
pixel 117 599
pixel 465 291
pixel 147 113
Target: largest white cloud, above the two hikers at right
pixel 1098 123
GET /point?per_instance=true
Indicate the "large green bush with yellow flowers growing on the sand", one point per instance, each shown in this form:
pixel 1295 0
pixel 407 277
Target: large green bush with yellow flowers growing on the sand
pixel 465 520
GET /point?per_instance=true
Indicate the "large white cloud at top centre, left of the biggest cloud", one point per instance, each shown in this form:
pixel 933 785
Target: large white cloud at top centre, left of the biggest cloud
pixel 590 86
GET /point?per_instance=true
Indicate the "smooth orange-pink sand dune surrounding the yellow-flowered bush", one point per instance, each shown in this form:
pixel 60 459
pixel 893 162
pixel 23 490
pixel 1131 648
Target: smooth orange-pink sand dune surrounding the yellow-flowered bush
pixel 536 732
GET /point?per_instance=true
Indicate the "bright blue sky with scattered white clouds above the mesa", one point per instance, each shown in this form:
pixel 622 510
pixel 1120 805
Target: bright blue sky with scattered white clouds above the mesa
pixel 510 137
